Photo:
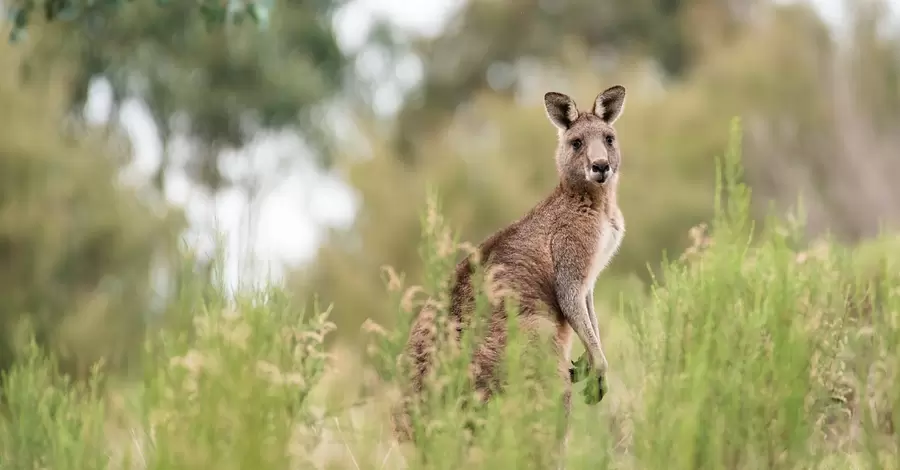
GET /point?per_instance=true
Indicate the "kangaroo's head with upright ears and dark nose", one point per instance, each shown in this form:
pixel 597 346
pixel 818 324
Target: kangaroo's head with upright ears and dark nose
pixel 588 155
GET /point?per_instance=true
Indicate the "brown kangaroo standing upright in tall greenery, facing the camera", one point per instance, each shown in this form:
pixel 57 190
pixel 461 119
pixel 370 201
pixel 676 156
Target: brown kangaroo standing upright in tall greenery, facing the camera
pixel 549 259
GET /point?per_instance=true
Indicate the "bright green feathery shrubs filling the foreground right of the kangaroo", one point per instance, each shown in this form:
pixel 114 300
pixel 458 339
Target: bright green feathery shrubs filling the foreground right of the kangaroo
pixel 758 353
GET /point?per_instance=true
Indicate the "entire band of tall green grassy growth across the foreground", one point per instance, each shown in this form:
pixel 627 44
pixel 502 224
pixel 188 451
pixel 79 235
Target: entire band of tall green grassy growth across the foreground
pixel 755 349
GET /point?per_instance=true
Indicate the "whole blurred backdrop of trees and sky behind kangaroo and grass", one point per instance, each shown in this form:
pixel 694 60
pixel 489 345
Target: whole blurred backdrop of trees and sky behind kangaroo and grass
pixel 309 146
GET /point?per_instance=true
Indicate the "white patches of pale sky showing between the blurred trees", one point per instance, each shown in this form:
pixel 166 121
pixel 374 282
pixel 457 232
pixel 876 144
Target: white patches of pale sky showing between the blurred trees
pixel 290 220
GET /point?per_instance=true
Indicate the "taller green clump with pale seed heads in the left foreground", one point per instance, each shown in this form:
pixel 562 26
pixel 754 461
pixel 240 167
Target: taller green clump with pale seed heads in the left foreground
pixel 264 352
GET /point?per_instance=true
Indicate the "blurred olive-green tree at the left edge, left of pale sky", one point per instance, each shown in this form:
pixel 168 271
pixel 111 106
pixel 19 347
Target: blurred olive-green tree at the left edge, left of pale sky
pixel 76 246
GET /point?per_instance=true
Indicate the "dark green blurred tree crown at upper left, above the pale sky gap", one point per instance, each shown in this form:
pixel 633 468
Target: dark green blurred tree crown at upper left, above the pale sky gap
pixel 217 87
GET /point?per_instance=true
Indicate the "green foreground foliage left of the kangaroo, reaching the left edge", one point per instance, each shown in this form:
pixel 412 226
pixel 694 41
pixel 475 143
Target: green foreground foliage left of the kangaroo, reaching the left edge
pixel 230 393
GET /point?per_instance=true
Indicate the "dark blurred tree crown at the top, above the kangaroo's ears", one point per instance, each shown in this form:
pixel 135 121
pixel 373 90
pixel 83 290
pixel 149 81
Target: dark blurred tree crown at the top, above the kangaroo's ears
pixel 487 42
